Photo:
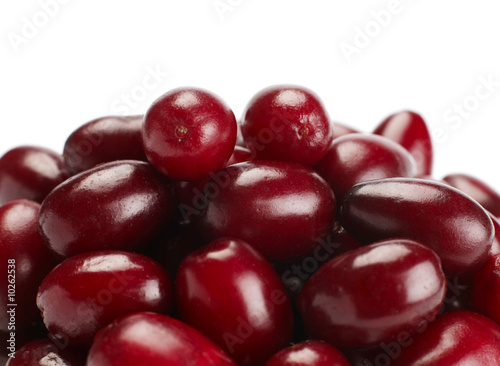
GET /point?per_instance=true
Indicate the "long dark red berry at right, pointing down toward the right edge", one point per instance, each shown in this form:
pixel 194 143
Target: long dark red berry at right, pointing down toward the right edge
pixel 455 226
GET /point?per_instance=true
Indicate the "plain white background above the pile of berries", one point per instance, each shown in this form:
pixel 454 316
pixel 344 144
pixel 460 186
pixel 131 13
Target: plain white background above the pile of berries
pixel 64 63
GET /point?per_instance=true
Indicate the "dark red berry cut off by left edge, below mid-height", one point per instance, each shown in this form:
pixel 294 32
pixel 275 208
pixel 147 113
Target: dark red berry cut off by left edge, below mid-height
pixel 24 259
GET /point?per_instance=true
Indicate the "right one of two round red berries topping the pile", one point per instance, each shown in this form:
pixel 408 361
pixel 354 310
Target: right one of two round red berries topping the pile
pixel 287 123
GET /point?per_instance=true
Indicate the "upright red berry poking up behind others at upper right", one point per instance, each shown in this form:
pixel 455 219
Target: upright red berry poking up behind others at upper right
pixel 409 130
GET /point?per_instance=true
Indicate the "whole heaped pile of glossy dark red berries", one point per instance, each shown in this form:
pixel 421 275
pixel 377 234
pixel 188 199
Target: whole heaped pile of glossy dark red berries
pixel 182 237
